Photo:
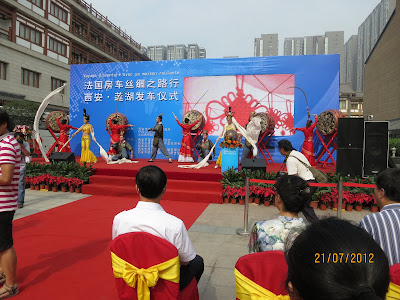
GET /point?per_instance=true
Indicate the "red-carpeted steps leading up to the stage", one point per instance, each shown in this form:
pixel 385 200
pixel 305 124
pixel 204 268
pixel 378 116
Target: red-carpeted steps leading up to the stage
pixel 177 190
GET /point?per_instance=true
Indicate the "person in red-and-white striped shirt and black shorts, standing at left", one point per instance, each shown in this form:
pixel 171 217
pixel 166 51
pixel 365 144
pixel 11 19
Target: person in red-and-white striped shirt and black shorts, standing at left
pixel 10 163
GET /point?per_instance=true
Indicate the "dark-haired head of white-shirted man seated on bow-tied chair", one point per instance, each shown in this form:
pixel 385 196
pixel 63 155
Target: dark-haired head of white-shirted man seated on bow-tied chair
pixel 151 182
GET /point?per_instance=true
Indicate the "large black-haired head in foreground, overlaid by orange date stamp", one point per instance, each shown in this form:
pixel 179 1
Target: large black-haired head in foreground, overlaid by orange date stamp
pixel 357 267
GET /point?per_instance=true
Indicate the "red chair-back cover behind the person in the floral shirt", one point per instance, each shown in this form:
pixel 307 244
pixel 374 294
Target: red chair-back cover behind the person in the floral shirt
pixel 267 269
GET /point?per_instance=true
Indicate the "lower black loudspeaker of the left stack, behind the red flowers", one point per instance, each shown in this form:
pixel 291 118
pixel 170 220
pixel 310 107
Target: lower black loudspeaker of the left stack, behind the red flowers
pixel 349 162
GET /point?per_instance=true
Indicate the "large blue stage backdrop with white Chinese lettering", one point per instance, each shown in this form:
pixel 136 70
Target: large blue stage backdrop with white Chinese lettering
pixel 154 87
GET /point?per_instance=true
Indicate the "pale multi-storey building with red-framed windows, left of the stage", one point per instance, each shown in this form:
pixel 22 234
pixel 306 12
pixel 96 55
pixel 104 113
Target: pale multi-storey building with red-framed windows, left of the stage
pixel 39 39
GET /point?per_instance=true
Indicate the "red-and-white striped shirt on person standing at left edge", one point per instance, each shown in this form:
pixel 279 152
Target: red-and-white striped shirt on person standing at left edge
pixel 10 153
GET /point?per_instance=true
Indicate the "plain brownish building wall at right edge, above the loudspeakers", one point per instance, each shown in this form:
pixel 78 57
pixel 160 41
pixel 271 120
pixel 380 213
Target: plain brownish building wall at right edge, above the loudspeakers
pixel 382 74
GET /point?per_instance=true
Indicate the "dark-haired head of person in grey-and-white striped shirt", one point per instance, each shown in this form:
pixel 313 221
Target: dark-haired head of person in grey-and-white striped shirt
pixel 387 187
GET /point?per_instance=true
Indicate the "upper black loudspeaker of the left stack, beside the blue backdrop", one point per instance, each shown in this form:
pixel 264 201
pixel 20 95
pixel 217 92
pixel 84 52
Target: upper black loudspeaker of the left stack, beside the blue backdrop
pixel 350 133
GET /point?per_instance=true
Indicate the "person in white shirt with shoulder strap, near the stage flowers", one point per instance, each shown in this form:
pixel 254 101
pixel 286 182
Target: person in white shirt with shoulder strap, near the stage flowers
pixel 295 166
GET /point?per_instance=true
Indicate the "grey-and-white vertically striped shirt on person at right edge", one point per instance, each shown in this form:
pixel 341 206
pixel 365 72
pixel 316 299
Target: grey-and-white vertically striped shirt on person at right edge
pixel 385 229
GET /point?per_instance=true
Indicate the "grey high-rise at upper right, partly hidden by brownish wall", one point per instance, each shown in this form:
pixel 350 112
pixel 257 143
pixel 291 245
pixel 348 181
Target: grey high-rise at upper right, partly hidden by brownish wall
pixel 368 34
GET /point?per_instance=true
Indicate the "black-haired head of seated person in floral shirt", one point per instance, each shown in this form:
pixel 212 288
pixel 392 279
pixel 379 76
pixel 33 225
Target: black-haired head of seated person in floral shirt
pixel 292 193
